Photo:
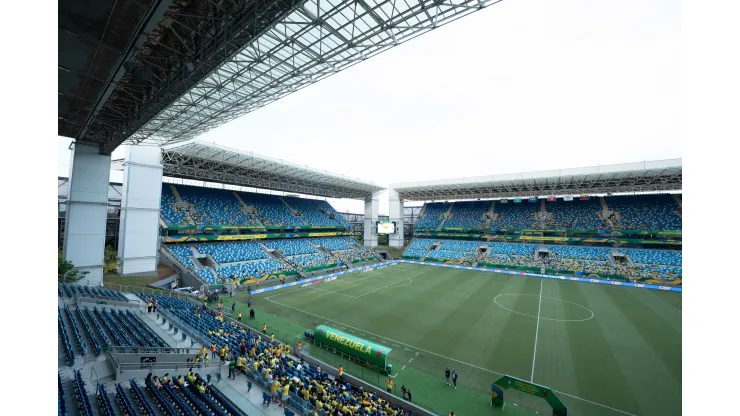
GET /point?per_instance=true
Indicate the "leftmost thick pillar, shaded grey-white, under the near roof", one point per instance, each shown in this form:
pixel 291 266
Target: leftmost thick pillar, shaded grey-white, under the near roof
pixel 87 211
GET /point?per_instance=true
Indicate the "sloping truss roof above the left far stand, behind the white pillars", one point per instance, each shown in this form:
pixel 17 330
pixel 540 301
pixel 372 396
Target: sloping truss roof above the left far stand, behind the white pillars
pixel 212 163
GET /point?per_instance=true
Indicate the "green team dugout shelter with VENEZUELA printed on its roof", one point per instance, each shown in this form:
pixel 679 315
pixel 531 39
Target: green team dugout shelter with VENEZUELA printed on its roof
pixel 359 348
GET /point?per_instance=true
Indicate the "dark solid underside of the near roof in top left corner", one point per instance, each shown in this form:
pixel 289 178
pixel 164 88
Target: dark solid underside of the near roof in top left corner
pixel 96 38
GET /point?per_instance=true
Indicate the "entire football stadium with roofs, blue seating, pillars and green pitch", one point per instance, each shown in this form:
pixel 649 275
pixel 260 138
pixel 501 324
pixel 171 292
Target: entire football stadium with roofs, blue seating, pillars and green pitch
pixel 220 281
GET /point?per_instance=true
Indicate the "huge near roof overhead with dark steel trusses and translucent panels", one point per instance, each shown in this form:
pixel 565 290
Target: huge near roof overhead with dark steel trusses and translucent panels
pixel 198 64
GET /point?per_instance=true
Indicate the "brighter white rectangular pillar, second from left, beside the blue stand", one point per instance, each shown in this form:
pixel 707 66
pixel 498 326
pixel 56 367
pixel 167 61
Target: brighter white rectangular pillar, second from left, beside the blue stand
pixel 138 239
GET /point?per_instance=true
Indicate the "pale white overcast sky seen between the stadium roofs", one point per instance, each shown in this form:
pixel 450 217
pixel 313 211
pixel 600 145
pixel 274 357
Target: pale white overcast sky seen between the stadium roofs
pixel 521 86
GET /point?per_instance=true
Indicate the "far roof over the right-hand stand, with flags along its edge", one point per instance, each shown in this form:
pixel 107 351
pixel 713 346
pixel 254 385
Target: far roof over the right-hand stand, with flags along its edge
pixel 654 176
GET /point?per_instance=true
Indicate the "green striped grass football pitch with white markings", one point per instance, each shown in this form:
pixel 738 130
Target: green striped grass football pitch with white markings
pixel 604 350
